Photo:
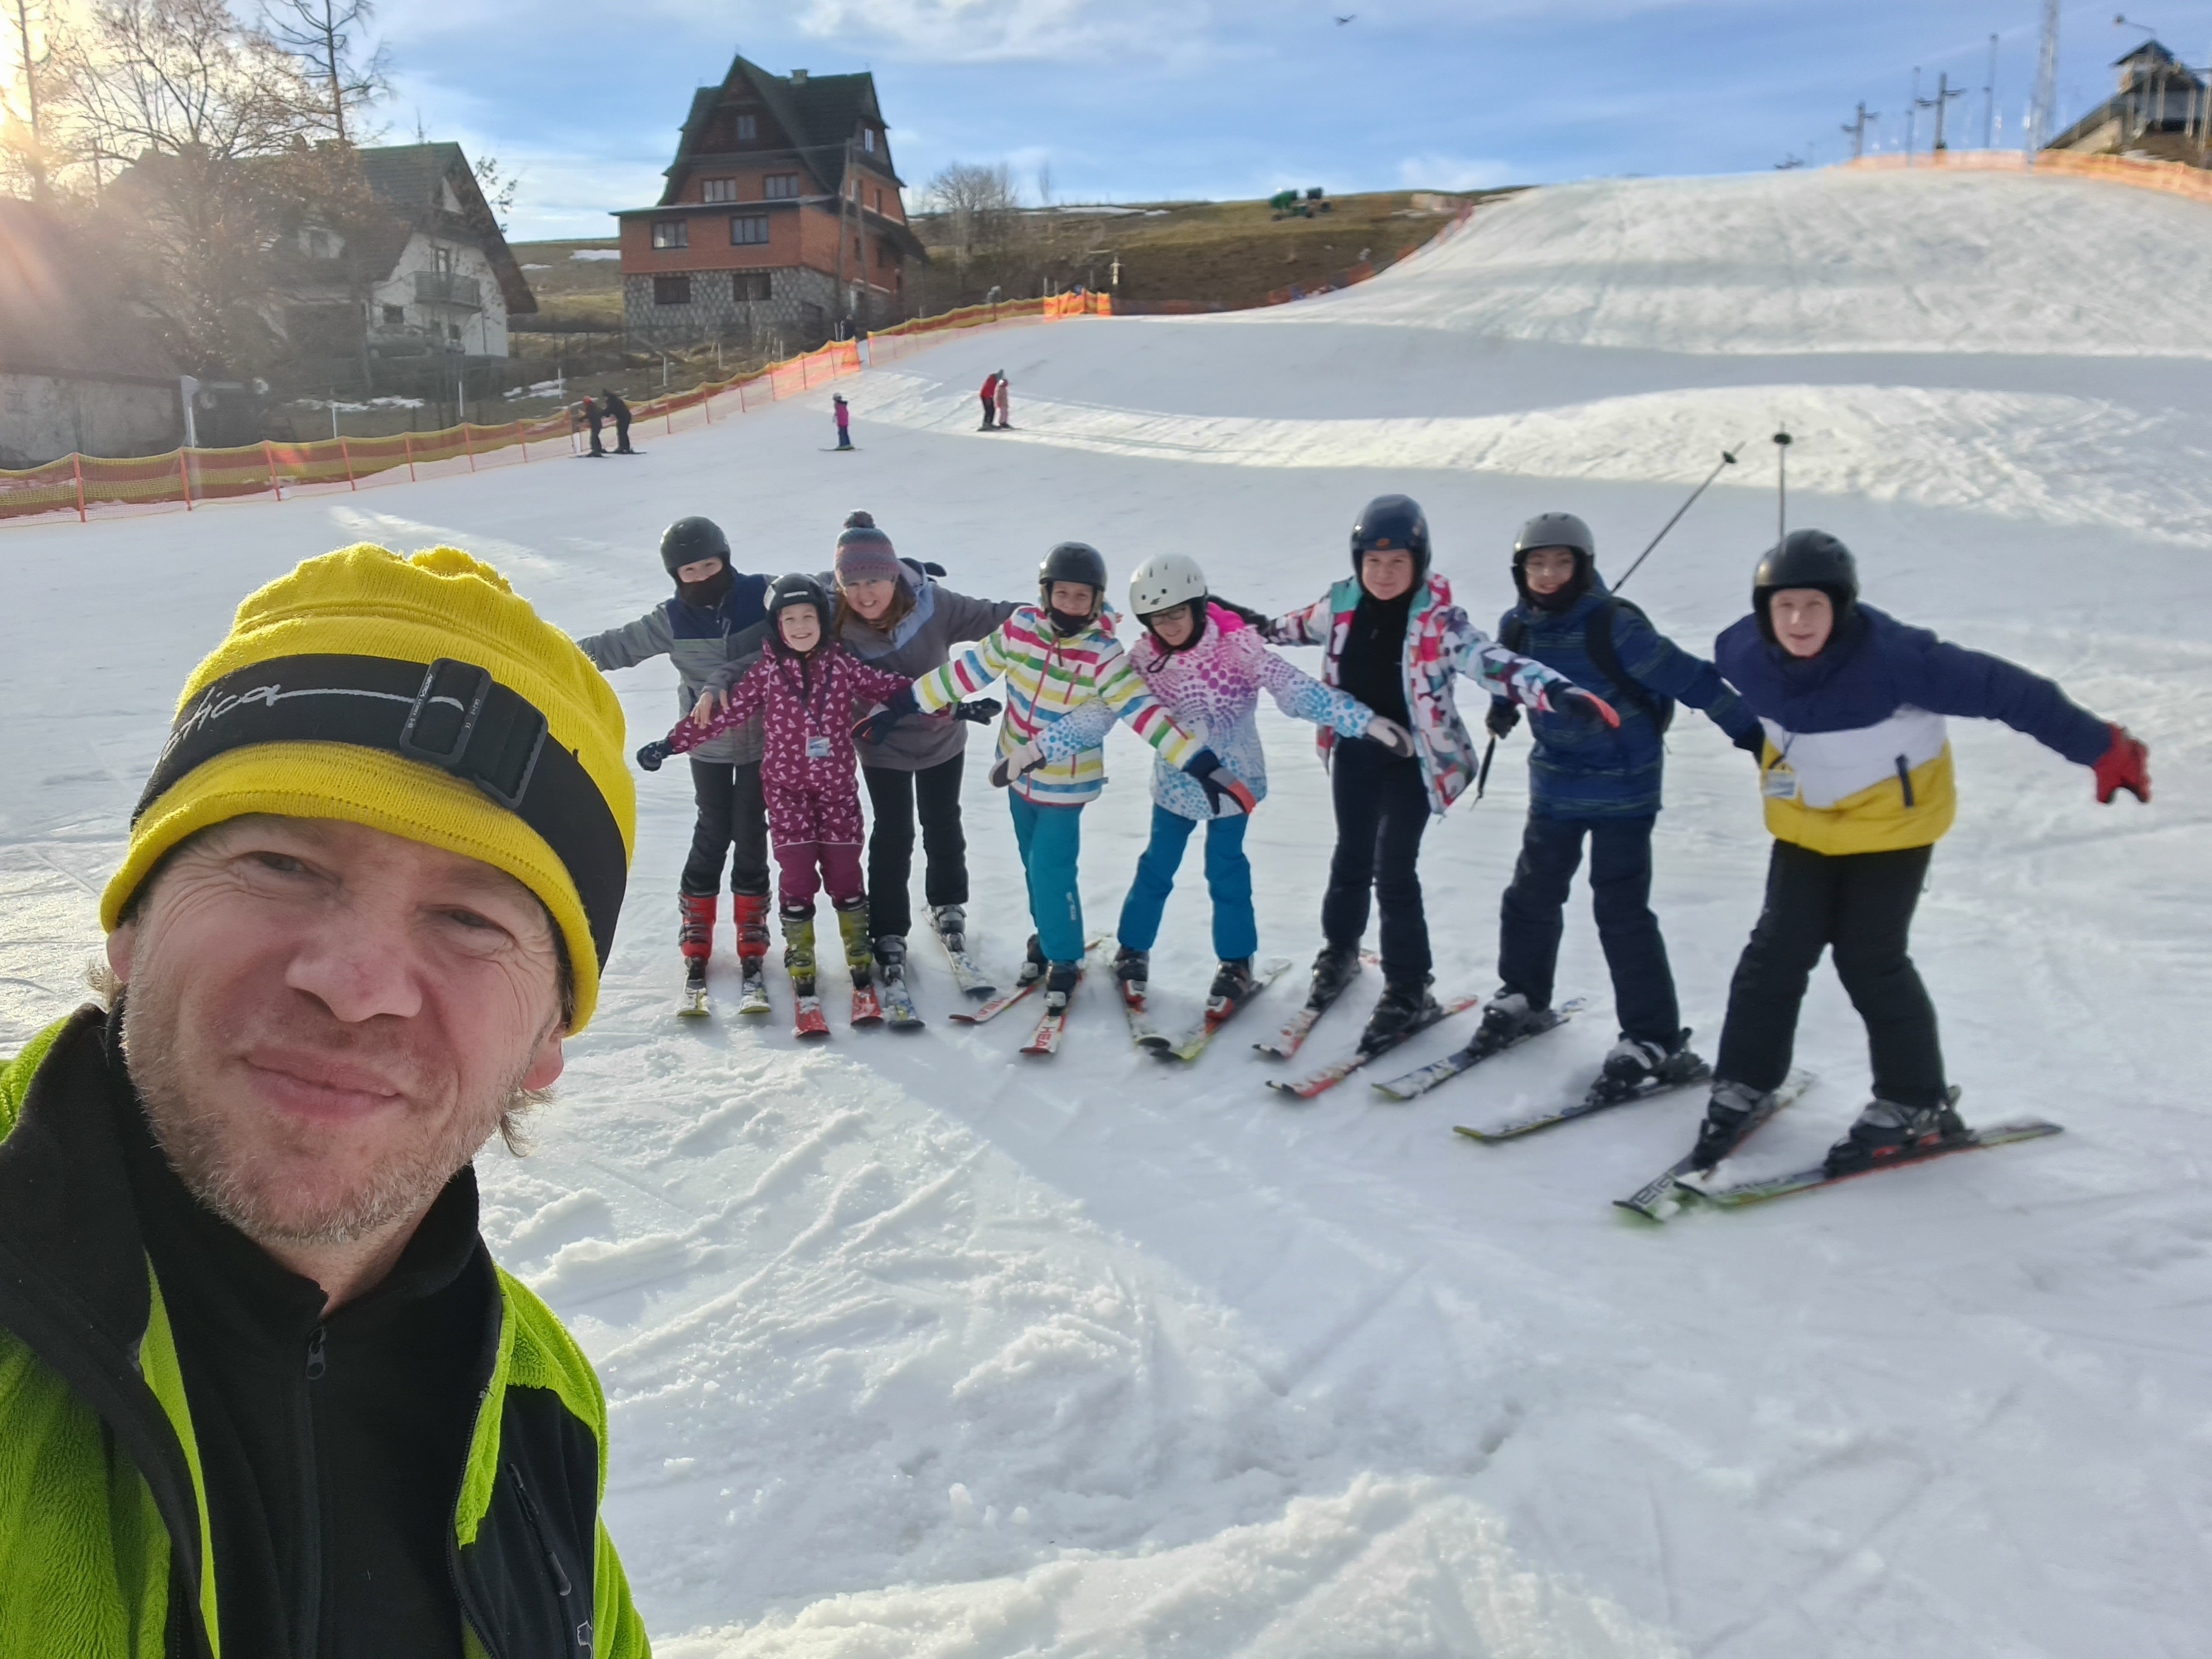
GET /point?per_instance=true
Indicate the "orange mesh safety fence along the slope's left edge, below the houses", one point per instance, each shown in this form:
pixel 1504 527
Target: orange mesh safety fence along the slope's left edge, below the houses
pixel 185 479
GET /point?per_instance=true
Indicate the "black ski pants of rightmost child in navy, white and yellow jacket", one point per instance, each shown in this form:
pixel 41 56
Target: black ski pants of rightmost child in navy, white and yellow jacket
pixel 1861 906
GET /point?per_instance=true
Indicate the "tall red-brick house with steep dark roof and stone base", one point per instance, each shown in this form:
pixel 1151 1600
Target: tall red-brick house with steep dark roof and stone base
pixel 782 216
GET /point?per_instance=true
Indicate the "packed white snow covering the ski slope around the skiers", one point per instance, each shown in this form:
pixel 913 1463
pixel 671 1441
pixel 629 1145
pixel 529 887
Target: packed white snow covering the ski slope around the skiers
pixel 919 1348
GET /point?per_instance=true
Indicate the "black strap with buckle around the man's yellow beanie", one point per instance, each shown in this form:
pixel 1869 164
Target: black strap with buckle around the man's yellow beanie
pixel 450 716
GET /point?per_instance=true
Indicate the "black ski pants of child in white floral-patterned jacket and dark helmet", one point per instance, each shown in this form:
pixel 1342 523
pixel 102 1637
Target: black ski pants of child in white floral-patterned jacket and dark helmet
pixel 1381 817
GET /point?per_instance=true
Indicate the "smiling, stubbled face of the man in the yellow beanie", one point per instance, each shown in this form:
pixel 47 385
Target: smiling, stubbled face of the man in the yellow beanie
pixel 326 1021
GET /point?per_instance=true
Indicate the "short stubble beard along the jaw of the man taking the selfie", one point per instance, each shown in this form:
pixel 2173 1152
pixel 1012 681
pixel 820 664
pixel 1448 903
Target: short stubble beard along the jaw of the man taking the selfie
pixel 236 1182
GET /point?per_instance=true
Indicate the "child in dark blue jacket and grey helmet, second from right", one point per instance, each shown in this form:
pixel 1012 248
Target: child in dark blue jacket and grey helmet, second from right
pixel 1600 784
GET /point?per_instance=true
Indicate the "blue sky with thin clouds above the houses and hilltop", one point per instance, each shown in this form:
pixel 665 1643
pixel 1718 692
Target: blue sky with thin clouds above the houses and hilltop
pixel 1136 101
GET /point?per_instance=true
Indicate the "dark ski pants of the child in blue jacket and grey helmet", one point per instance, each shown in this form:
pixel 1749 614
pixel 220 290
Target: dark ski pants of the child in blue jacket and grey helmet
pixel 1534 915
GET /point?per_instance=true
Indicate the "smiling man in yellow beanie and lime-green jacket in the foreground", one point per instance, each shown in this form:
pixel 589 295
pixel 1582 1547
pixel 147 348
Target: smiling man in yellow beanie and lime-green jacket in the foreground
pixel 262 1388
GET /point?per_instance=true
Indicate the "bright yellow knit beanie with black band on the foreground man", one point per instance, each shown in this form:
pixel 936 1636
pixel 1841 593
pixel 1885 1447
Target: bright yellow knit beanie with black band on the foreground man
pixel 421 698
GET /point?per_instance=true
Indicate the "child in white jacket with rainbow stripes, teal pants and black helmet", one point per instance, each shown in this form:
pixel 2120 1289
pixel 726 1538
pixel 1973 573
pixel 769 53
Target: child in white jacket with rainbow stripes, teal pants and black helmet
pixel 1056 658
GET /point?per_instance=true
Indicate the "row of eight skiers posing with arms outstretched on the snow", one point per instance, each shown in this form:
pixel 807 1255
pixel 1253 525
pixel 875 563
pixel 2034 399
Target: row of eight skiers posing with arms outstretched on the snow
pixel 1839 707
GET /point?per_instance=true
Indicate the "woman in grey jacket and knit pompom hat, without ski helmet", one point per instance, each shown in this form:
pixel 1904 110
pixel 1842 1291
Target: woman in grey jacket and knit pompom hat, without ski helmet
pixel 895 616
